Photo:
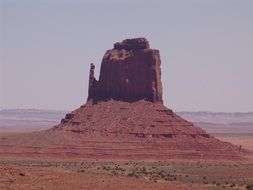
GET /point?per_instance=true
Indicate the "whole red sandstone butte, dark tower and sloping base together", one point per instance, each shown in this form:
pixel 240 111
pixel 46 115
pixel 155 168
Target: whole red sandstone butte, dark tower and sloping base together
pixel 124 116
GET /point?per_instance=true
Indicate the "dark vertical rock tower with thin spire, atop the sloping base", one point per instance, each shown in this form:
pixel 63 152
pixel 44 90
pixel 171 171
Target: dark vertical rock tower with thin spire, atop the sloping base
pixel 129 72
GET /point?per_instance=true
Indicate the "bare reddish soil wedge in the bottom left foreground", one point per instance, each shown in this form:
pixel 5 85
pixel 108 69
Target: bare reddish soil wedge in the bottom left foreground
pixel 21 178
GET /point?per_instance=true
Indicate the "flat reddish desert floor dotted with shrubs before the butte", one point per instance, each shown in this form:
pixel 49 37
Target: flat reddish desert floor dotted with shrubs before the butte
pixel 126 174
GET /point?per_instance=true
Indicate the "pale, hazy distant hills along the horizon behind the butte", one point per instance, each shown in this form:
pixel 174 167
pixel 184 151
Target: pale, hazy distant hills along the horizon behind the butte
pixel 213 122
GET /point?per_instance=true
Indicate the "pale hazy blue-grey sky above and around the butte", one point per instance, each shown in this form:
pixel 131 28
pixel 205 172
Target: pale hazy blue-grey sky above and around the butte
pixel 206 46
